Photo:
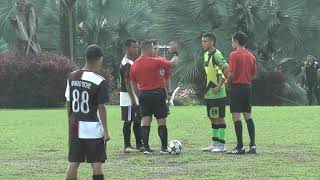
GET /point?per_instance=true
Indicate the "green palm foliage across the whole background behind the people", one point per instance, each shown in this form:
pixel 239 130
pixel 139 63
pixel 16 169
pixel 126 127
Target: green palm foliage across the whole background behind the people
pixel 280 32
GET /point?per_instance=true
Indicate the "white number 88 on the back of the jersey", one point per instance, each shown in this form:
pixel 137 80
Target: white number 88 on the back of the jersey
pixel 80 104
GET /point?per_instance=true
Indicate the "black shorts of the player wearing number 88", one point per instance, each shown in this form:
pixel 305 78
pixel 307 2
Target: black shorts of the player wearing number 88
pixel 89 150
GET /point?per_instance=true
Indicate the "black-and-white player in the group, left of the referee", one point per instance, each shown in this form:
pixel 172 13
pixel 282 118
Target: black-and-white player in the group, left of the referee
pixel 128 100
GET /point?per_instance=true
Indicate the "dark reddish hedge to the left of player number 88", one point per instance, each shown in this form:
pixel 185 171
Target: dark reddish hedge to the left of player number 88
pixel 33 80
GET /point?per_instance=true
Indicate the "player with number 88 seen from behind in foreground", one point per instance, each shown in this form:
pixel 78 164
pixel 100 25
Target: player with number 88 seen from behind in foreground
pixel 86 94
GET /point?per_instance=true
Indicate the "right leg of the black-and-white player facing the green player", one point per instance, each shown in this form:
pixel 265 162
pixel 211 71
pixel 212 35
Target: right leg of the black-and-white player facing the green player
pixel 136 117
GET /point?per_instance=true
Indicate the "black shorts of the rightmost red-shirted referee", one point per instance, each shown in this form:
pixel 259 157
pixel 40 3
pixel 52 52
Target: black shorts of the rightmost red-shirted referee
pixel 240 98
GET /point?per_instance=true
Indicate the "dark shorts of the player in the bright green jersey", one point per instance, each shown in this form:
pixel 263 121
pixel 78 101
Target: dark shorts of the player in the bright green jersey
pixel 216 108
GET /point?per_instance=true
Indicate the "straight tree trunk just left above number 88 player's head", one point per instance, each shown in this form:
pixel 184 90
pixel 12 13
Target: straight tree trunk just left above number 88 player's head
pixel 67 28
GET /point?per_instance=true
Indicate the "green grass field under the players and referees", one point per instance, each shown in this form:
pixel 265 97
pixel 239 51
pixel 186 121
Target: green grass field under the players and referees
pixel 33 145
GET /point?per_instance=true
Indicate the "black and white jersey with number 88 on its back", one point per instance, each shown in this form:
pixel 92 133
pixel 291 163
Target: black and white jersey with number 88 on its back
pixel 85 91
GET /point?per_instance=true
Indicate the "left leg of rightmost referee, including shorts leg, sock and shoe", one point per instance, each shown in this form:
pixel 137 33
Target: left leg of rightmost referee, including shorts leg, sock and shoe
pixel 236 109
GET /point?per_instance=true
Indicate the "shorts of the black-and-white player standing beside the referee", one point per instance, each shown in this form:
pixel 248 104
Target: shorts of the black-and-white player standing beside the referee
pixel 129 114
